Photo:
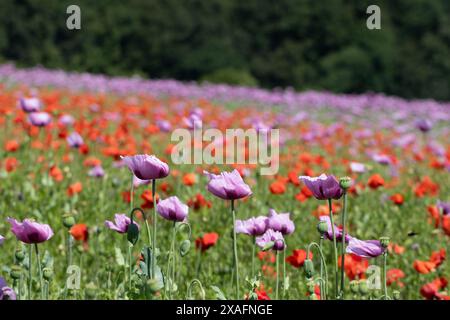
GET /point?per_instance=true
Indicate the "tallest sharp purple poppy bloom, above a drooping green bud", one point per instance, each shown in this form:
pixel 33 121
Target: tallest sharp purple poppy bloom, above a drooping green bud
pixel 146 167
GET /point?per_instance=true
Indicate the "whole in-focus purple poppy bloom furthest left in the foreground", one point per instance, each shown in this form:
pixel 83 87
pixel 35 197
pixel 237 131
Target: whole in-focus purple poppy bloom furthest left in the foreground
pixel 30 231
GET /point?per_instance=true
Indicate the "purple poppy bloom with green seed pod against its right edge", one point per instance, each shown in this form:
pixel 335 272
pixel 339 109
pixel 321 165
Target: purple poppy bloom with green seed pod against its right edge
pixel 323 187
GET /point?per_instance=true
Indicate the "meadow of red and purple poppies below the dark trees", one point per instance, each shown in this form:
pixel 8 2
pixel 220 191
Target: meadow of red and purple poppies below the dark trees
pixel 92 206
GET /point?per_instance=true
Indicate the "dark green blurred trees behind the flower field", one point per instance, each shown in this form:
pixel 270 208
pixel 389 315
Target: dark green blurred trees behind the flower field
pixel 304 44
